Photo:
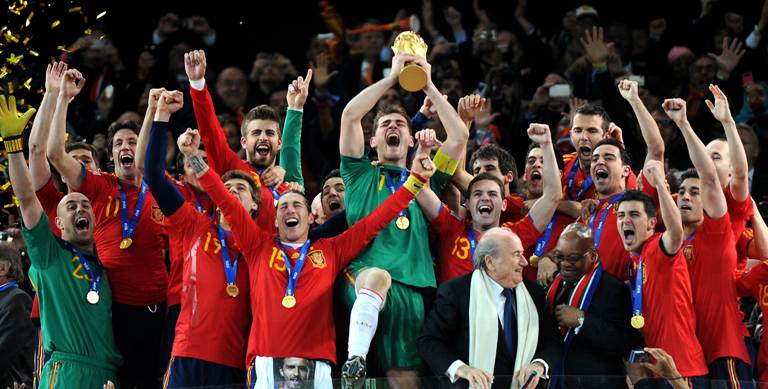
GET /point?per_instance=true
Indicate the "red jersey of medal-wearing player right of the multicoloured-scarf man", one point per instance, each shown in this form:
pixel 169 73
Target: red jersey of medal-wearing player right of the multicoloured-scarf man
pixel 670 320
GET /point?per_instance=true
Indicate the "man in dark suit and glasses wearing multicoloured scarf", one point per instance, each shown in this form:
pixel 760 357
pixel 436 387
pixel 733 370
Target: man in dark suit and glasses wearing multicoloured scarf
pixel 593 310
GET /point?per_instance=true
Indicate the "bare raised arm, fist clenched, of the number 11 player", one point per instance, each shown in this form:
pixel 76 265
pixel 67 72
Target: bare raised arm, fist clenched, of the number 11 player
pixel 70 169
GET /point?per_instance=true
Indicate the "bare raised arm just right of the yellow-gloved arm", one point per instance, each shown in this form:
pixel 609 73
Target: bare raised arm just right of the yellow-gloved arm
pixel 38 163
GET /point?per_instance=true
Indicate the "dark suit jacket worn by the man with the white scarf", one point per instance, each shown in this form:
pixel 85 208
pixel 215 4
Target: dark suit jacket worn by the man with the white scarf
pixel 445 335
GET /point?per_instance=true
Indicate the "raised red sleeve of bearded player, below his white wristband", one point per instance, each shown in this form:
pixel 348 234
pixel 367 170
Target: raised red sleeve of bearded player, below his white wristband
pixel 211 132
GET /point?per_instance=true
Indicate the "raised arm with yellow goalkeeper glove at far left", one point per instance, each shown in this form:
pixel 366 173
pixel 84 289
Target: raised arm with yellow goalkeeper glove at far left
pixel 11 128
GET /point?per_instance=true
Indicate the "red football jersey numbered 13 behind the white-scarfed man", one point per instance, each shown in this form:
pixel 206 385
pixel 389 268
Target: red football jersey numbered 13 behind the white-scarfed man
pixel 454 253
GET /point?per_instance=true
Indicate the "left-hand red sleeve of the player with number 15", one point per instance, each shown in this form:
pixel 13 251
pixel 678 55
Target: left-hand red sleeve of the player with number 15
pixel 247 234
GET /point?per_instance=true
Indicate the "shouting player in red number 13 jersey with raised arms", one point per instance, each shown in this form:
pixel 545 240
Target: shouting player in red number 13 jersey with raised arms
pixel 457 239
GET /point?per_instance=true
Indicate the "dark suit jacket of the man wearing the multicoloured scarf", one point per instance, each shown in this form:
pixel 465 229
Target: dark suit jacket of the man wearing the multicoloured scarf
pixel 604 340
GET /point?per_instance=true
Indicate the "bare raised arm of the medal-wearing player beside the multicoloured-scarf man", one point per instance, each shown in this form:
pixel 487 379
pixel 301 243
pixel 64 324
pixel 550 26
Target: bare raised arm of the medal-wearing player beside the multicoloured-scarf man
pixel 674 236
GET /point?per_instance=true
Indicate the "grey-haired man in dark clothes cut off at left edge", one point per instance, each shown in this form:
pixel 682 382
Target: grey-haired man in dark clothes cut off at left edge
pixel 17 335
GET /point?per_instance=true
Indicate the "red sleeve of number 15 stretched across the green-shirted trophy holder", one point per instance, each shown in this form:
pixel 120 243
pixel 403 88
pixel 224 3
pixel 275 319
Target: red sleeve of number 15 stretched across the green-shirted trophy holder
pixel 349 244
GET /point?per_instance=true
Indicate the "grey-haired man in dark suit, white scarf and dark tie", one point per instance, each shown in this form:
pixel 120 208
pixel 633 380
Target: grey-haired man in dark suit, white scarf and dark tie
pixel 491 323
